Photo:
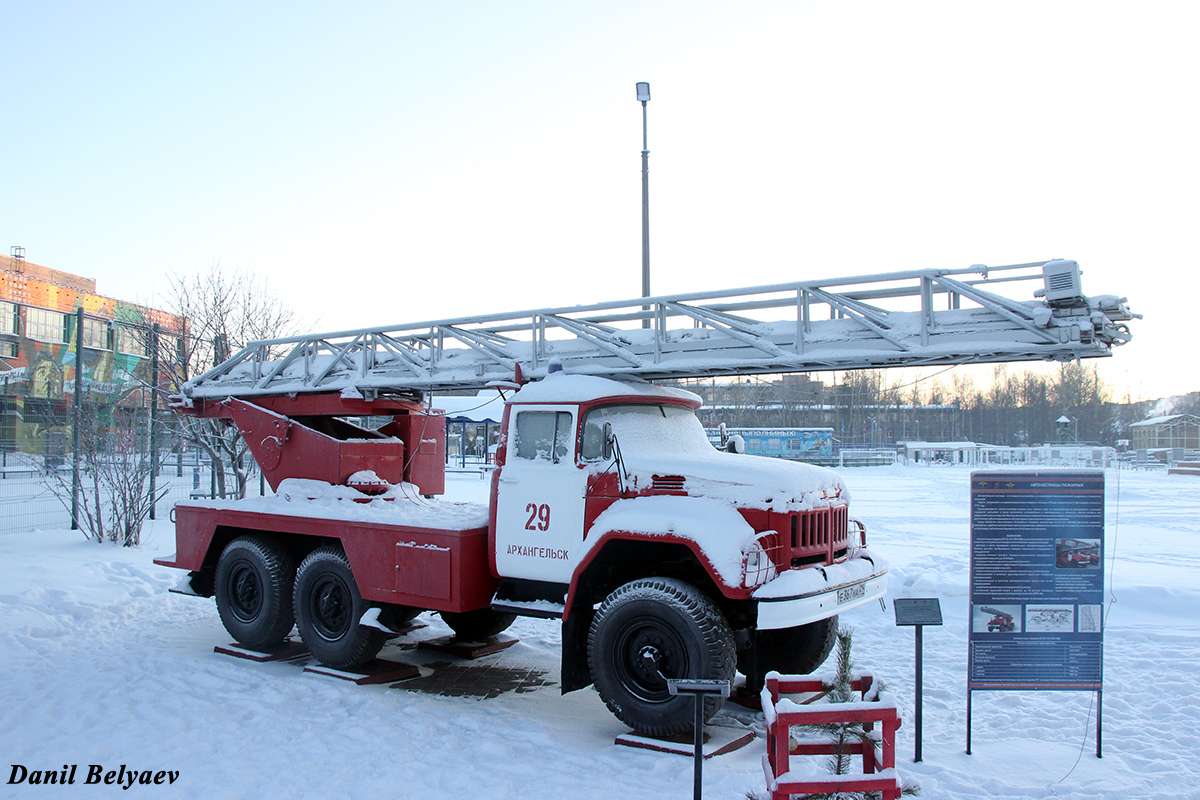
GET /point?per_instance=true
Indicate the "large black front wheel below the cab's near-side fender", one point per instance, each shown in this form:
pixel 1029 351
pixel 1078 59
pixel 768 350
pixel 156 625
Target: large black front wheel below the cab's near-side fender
pixel 647 633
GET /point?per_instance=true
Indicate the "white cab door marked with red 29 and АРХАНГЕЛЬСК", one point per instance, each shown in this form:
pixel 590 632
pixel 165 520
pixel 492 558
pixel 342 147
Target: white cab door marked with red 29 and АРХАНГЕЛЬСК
pixel 541 496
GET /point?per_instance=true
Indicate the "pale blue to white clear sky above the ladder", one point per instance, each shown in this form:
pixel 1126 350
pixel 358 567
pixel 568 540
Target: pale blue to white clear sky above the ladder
pixel 389 163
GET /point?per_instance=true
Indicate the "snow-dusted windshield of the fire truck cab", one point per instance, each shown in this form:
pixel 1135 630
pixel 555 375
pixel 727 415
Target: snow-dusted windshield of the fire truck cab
pixel 645 429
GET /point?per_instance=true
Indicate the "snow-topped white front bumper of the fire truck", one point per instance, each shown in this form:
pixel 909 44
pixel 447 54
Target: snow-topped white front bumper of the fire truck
pixel 802 597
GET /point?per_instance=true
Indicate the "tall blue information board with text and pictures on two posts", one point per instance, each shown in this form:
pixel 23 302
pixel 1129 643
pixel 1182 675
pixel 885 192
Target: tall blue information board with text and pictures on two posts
pixel 1037 584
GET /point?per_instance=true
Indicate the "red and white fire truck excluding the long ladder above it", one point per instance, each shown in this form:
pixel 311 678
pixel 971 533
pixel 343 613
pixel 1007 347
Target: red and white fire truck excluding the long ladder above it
pixel 609 509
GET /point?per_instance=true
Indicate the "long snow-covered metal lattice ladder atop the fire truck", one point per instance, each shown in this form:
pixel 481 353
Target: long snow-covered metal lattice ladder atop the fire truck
pixel 914 318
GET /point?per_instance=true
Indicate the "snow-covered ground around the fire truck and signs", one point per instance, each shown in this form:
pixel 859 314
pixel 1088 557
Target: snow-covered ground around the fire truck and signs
pixel 100 665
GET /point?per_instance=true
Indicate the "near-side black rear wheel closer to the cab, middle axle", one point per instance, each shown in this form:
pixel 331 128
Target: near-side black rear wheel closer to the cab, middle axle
pixel 328 609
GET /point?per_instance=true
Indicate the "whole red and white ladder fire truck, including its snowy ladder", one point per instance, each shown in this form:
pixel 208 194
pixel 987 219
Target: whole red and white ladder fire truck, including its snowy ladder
pixel 610 510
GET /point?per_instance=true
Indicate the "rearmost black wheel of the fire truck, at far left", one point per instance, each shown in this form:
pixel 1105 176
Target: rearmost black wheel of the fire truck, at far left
pixel 254 591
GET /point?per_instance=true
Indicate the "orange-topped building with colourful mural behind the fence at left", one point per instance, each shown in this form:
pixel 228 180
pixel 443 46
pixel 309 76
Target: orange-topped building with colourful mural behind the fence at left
pixel 39 340
